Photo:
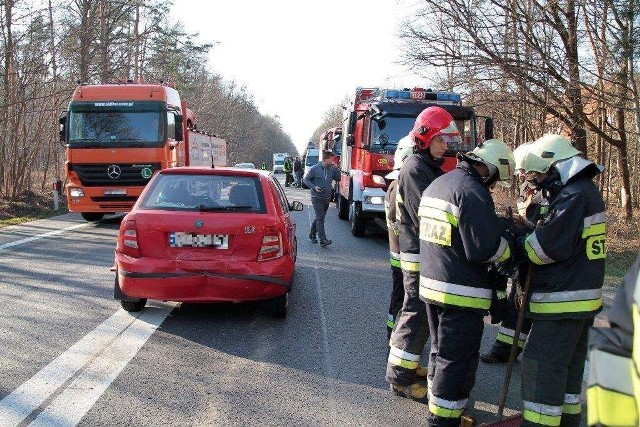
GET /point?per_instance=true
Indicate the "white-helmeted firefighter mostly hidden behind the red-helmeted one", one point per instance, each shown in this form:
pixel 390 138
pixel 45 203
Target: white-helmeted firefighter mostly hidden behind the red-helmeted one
pixel 404 150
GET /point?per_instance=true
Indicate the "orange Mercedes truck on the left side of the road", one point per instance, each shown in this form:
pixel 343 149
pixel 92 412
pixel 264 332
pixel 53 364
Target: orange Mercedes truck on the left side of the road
pixel 118 135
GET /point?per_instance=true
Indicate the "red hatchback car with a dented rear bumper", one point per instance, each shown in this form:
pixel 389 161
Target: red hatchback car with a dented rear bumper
pixel 200 234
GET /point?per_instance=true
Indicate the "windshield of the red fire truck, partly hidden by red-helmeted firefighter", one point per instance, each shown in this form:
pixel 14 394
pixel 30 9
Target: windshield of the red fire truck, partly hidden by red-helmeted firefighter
pixel 386 134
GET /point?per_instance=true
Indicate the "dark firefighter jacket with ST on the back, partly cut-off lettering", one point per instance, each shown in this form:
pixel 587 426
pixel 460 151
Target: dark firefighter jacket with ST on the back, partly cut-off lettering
pixel 568 252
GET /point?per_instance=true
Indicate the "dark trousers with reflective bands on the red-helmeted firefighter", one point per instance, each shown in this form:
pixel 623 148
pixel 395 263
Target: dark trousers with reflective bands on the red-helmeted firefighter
pixel 409 334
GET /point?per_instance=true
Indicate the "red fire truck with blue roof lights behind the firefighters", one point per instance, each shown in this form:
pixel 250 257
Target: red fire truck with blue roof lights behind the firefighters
pixel 373 124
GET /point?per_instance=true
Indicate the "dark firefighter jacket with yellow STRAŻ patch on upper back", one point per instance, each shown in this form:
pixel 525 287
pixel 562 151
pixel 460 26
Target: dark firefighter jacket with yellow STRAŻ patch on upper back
pixel 460 234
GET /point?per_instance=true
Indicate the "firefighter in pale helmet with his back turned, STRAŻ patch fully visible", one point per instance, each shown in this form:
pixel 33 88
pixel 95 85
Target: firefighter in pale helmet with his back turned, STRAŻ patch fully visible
pixel 461 238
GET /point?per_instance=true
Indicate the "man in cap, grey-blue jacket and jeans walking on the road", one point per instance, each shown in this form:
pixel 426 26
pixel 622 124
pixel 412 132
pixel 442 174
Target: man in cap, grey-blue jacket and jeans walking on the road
pixel 320 179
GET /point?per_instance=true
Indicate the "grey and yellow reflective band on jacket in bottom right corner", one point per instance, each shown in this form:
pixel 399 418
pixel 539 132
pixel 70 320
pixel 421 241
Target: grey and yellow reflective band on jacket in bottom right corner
pixel 610 400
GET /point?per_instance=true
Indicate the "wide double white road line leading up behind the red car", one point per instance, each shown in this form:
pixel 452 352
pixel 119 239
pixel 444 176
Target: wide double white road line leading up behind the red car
pixel 95 361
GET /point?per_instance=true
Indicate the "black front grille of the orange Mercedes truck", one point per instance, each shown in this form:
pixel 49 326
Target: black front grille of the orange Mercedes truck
pixel 117 174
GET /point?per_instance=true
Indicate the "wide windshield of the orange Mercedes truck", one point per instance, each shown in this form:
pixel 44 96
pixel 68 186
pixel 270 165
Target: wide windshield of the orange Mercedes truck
pixel 116 124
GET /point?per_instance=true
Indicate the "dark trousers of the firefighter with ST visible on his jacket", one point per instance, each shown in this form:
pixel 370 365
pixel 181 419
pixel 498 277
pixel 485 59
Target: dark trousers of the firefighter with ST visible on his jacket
pixel 552 370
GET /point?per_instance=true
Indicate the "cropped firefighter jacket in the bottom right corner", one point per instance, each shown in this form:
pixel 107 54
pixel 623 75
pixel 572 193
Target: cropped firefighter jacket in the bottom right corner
pixel 613 392
